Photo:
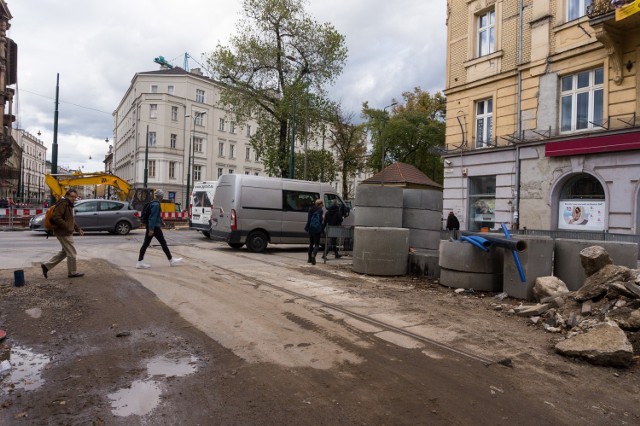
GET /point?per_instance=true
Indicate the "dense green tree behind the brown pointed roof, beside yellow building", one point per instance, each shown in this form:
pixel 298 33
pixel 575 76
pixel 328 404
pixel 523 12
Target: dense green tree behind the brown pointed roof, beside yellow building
pixel 413 133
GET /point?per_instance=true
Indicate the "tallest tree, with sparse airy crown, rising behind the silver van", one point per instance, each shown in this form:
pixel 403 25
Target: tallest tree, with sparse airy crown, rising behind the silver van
pixel 276 68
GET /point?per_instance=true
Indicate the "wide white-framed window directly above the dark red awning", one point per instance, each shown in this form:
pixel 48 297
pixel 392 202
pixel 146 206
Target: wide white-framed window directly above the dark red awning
pixel 582 100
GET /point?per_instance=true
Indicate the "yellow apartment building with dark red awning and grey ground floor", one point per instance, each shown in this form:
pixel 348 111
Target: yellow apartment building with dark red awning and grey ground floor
pixel 543 106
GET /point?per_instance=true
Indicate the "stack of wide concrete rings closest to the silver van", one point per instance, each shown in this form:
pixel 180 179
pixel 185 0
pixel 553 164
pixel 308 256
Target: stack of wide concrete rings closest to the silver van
pixel 380 244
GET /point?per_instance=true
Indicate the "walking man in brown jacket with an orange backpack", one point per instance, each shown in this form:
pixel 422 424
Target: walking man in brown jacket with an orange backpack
pixel 63 227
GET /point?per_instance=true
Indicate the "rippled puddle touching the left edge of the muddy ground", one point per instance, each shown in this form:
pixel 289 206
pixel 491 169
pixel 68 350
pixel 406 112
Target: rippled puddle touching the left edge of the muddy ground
pixel 26 369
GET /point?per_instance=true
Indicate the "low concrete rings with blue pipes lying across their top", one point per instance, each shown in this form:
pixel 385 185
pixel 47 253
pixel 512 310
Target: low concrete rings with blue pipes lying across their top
pixel 463 265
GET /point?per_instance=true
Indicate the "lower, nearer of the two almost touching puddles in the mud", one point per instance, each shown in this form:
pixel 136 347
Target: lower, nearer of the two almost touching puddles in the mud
pixel 140 398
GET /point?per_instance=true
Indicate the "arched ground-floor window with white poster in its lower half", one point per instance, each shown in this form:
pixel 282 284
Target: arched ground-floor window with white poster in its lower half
pixel 582 204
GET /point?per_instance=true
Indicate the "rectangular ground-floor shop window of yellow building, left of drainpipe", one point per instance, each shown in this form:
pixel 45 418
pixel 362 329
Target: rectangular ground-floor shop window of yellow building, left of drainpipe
pixel 482 202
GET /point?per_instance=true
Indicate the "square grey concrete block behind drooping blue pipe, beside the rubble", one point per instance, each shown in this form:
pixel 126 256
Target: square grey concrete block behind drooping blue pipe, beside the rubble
pixel 535 262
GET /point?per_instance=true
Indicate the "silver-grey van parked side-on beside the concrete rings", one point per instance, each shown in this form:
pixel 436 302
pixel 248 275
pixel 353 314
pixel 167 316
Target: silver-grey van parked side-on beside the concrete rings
pixel 258 210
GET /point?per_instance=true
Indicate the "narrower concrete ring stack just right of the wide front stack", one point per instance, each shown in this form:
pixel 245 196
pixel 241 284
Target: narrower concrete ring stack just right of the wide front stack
pixel 422 215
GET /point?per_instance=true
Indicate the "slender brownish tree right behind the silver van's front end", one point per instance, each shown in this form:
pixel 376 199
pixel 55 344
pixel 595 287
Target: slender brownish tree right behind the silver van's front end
pixel 349 142
